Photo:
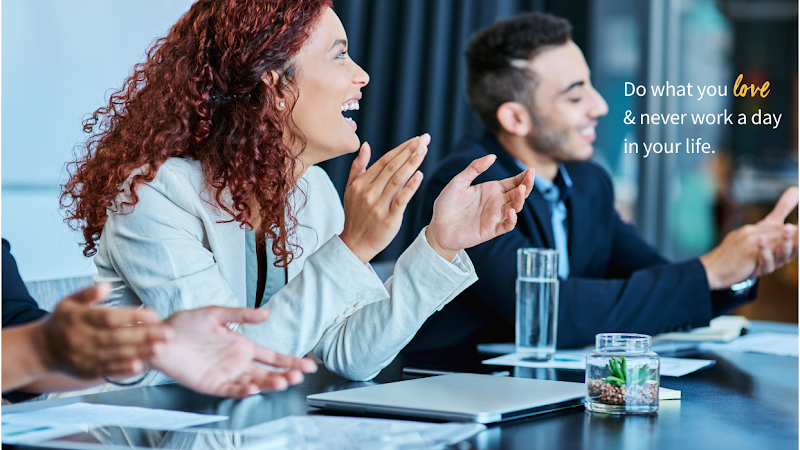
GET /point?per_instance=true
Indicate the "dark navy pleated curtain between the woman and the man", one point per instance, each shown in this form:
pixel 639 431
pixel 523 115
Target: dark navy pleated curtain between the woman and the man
pixel 413 52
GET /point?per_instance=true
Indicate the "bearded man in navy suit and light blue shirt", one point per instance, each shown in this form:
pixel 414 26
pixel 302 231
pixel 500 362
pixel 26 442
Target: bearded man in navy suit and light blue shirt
pixel 529 84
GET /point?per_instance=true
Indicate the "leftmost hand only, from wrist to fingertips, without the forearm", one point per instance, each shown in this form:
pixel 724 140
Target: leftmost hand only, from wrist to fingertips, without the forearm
pixel 88 342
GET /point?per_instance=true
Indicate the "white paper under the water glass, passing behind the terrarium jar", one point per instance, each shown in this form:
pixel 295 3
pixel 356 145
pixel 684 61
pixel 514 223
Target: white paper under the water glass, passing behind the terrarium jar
pixel 670 367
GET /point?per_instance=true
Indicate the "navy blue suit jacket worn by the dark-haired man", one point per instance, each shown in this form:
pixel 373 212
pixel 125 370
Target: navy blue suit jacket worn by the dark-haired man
pixel 617 282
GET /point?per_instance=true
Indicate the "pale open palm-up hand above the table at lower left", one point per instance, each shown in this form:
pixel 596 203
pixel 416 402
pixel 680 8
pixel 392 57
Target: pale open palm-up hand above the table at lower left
pixel 206 356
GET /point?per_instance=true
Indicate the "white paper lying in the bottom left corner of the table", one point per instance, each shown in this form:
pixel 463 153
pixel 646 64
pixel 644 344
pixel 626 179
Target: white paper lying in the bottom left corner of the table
pixel 80 416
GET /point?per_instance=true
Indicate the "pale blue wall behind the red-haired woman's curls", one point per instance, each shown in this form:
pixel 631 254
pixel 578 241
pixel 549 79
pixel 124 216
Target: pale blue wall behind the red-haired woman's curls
pixel 60 61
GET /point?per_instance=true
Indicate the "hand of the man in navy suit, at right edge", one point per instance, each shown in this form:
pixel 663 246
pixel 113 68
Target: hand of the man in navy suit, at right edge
pixel 754 250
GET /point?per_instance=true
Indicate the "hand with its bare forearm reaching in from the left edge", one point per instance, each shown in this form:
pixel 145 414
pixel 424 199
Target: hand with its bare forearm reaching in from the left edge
pixel 80 341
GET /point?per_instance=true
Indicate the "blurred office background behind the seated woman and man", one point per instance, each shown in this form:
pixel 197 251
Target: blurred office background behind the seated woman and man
pixel 60 61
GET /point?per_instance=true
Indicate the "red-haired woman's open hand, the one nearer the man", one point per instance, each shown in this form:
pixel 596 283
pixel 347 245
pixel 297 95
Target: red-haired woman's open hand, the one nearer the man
pixel 465 216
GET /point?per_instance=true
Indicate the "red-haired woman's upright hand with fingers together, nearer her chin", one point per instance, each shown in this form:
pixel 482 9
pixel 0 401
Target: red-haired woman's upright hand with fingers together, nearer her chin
pixel 376 197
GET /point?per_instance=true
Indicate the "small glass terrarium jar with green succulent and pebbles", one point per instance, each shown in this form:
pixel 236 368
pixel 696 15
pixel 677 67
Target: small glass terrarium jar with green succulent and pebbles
pixel 622 375
